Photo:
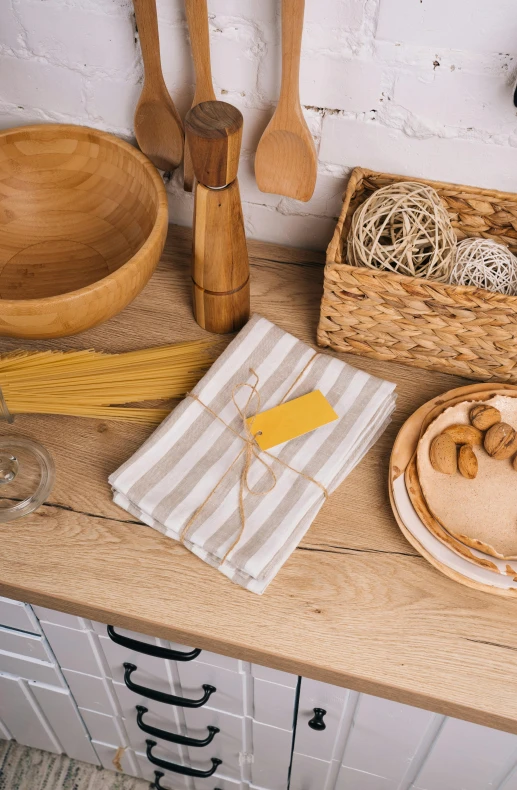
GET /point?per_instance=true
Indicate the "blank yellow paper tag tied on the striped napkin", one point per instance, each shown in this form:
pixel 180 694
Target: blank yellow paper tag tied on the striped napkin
pixel 291 419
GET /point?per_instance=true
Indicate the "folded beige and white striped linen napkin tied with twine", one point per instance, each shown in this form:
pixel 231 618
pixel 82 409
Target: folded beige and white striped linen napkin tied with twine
pixel 185 481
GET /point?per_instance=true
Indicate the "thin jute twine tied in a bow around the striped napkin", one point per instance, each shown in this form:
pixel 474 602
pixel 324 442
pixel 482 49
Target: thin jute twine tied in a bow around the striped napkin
pixel 250 451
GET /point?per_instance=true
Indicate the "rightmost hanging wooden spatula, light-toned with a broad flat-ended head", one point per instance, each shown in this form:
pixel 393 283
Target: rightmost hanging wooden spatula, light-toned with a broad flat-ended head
pixel 286 161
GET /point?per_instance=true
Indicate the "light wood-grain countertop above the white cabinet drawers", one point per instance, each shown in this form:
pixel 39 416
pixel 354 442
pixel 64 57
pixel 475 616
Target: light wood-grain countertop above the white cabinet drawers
pixel 354 605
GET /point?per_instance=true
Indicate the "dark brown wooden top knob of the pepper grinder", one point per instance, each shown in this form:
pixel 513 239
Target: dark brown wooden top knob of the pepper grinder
pixel 214 132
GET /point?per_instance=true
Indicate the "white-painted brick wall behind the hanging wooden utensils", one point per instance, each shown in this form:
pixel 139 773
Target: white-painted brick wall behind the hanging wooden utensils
pixel 420 87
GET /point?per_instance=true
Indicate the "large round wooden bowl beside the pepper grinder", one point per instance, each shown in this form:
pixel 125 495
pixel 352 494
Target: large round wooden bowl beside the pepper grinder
pixel 83 220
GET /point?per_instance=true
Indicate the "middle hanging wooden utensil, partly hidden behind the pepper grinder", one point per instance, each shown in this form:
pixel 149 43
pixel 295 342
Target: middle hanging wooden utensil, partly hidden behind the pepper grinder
pixel 197 18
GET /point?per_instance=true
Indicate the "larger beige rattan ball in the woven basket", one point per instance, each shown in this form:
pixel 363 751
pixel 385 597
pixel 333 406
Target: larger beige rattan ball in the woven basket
pixel 404 228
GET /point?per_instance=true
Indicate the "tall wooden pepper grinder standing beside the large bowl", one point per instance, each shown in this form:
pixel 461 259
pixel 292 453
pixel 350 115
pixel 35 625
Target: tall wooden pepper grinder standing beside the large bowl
pixel 220 267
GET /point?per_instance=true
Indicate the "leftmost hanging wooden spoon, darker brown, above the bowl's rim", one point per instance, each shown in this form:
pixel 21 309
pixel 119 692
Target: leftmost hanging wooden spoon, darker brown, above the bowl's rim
pixel 158 127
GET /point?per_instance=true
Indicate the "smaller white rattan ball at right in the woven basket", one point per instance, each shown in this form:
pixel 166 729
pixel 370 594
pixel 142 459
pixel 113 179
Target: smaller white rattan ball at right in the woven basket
pixel 485 264
